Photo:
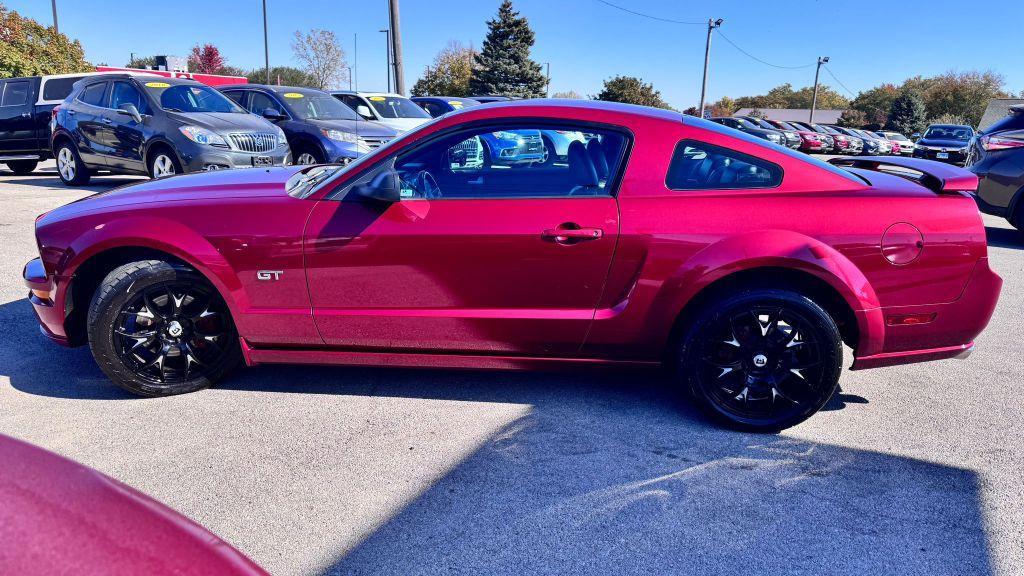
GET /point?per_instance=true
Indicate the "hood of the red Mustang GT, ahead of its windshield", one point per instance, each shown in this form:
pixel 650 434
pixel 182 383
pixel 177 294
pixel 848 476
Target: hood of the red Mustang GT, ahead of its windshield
pixel 241 183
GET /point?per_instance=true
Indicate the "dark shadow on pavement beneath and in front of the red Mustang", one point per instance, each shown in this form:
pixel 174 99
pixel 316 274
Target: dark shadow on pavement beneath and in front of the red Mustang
pixel 609 473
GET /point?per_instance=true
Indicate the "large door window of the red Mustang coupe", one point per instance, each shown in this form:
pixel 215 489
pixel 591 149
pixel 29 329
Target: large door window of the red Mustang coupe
pixel 518 160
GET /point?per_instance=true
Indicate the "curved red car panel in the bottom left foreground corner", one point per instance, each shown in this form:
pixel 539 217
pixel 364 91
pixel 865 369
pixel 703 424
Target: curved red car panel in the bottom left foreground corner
pixel 58 517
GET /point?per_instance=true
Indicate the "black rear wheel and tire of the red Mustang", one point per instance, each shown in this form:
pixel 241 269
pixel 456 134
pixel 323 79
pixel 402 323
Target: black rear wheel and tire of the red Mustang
pixel 761 360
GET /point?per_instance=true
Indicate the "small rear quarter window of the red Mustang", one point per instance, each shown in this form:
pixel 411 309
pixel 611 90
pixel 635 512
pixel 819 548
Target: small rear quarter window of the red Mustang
pixel 699 166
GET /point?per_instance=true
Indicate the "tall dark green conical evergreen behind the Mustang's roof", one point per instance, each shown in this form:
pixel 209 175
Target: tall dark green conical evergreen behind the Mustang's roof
pixel 504 66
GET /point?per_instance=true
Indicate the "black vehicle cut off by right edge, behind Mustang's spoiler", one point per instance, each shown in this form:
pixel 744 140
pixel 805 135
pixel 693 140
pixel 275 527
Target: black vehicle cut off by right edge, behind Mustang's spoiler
pixel 997 155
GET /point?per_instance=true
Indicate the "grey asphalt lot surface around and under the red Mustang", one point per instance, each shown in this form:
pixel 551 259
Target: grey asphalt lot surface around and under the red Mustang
pixel 914 470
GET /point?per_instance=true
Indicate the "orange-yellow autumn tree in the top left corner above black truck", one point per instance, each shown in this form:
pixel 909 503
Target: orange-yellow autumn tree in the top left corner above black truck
pixel 29 49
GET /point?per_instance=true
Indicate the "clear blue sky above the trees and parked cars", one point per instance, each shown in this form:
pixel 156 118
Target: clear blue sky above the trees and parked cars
pixel 586 42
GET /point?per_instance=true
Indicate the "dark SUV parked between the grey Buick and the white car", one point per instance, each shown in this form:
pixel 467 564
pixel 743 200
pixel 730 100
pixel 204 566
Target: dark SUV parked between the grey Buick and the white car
pixel 320 130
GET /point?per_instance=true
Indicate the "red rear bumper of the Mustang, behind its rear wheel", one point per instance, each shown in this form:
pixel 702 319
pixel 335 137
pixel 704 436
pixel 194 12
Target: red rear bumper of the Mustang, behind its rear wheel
pixel 951 334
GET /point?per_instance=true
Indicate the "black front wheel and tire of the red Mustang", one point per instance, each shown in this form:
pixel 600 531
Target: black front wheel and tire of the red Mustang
pixel 151 343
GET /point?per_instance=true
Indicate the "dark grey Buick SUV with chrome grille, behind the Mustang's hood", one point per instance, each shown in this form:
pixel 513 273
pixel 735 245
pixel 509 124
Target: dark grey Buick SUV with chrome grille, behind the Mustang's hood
pixel 135 125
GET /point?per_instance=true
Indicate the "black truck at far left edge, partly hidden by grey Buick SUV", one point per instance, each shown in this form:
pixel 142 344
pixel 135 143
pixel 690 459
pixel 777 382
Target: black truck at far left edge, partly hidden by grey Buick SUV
pixel 26 108
